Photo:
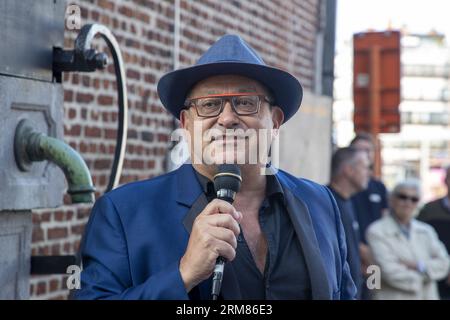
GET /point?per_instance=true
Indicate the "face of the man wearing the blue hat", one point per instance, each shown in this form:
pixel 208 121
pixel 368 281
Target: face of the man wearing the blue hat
pixel 229 137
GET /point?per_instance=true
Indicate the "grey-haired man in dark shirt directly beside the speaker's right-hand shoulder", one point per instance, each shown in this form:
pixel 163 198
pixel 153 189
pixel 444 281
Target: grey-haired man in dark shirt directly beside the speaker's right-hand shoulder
pixel 350 172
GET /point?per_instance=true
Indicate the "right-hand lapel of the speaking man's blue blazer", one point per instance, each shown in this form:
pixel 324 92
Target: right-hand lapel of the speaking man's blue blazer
pixel 301 220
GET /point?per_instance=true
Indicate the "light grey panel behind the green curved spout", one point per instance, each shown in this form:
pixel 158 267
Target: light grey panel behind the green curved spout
pixel 41 103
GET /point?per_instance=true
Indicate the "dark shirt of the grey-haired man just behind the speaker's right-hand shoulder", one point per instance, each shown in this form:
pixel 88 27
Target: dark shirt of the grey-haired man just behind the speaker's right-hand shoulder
pixel 352 237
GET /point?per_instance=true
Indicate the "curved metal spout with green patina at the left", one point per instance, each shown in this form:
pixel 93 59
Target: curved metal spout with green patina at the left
pixel 30 146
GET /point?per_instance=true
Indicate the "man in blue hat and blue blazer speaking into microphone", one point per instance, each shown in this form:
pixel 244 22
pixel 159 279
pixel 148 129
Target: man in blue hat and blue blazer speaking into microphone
pixel 160 238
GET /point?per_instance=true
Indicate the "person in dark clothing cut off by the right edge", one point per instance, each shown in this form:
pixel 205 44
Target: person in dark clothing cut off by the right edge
pixel 437 214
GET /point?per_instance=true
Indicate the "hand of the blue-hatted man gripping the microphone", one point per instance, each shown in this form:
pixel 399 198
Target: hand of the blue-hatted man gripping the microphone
pixel 213 234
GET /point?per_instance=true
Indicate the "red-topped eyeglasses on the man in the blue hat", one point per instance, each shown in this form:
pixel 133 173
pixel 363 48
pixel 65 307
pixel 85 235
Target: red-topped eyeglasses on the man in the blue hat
pixel 243 104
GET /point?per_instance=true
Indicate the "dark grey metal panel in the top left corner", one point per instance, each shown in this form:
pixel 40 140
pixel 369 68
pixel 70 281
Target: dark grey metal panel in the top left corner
pixel 29 30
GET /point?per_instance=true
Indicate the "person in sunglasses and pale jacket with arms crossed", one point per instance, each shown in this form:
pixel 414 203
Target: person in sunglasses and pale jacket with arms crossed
pixel 410 256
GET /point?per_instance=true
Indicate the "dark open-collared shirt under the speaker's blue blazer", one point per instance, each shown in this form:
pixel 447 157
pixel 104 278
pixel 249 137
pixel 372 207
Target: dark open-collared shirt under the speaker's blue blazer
pixel 285 273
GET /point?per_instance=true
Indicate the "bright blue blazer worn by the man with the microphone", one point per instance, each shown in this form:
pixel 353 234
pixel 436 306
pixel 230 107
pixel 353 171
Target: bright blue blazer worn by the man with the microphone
pixel 137 234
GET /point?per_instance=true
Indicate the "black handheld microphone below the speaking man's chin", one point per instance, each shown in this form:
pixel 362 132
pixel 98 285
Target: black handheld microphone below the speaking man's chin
pixel 227 183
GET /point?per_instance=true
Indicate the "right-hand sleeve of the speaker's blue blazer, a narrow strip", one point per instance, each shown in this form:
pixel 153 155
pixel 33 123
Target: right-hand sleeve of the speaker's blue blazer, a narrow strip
pixel 347 286
